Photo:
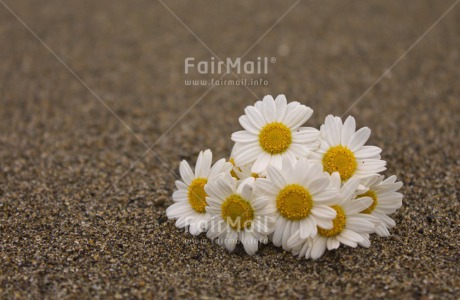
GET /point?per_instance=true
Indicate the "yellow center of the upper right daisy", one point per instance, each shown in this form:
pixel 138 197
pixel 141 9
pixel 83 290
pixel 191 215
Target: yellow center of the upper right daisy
pixel 340 159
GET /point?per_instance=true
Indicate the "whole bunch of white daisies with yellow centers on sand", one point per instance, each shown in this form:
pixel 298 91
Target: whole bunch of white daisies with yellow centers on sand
pixel 303 189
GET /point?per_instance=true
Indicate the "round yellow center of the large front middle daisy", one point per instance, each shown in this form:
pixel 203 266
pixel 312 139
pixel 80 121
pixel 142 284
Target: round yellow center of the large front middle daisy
pixel 294 202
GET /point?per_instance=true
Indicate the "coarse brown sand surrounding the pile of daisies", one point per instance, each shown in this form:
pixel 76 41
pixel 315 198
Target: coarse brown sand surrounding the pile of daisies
pixel 74 224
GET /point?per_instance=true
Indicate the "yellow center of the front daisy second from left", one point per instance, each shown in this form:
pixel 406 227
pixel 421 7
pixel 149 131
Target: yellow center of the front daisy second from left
pixel 237 212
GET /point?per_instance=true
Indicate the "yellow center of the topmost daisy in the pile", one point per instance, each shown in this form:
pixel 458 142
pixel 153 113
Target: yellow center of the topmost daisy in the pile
pixel 275 138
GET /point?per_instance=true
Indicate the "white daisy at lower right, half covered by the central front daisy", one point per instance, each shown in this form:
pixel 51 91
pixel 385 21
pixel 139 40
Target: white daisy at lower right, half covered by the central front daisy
pixel 350 228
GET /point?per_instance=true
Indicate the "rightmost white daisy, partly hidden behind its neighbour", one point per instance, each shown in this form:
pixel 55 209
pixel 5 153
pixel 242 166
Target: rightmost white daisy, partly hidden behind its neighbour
pixel 385 200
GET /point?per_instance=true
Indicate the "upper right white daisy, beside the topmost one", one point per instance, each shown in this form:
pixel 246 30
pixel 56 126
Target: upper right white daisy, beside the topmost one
pixel 342 150
